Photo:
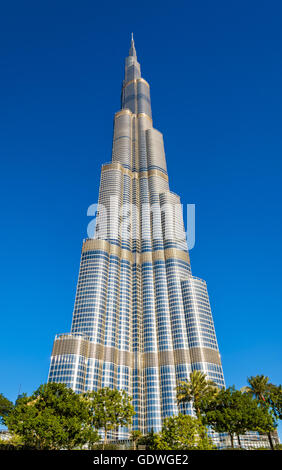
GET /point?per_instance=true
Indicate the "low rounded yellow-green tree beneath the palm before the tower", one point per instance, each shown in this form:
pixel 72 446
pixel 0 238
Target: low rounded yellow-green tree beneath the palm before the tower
pixel 183 432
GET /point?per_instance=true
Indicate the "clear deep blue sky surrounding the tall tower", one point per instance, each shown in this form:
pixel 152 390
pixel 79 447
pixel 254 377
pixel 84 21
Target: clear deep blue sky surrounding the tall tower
pixel 215 74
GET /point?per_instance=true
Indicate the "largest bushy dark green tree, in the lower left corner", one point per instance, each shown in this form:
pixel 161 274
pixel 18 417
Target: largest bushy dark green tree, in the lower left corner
pixel 53 417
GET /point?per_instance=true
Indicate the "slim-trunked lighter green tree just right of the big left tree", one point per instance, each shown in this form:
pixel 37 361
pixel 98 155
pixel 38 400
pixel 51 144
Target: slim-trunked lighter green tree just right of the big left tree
pixel 110 409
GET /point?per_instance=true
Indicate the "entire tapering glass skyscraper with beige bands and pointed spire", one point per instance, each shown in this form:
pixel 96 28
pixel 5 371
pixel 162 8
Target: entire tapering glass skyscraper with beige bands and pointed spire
pixel 141 320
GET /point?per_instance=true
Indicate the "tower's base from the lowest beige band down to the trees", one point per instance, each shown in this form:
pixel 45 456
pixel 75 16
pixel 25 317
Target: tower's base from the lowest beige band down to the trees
pixel 150 378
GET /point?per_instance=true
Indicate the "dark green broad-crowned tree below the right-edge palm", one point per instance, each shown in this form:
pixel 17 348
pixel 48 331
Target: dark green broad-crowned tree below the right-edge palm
pixel 234 412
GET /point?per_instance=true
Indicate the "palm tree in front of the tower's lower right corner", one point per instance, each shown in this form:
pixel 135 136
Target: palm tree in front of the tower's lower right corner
pixel 197 388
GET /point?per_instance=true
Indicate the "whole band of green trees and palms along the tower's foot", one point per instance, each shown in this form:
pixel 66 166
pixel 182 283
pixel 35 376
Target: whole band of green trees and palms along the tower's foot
pixel 55 417
